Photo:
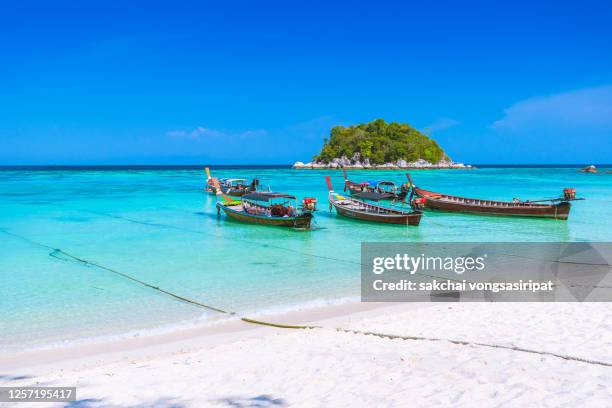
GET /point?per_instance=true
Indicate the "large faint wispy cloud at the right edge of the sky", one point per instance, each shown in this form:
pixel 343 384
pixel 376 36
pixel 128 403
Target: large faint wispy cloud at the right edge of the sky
pixel 584 108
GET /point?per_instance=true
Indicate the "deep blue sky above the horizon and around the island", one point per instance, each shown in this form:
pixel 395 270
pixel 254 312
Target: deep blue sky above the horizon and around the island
pixel 263 82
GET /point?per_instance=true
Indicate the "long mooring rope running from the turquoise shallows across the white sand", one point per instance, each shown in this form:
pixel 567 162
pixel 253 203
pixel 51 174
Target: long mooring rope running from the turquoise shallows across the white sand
pixel 55 251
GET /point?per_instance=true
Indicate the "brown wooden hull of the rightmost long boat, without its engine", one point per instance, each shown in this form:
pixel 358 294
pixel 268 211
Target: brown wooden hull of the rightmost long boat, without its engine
pixel 559 211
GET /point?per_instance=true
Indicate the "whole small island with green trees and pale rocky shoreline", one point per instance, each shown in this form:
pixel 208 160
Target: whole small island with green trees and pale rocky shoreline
pixel 380 145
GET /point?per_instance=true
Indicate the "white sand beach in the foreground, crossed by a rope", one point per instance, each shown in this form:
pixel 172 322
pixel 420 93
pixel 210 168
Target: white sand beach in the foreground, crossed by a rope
pixel 243 365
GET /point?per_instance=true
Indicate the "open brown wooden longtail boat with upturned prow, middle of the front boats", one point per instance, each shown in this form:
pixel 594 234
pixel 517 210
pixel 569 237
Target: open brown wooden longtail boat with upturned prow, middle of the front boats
pixel 357 209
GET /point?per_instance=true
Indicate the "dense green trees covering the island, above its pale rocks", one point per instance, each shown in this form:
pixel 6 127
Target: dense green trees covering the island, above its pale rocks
pixel 381 142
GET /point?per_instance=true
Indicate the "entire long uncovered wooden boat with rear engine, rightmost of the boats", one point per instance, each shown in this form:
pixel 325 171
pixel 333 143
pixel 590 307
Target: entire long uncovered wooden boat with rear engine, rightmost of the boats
pixel 555 208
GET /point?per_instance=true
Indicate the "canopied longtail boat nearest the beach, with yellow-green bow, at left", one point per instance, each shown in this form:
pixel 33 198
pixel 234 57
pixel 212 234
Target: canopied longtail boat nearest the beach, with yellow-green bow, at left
pixel 267 208
